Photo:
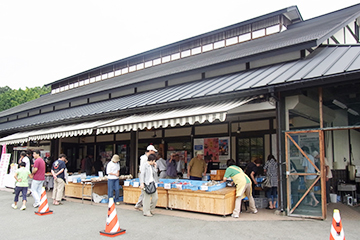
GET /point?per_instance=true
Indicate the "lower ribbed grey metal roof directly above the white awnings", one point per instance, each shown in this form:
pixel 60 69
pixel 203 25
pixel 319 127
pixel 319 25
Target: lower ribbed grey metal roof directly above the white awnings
pixel 325 62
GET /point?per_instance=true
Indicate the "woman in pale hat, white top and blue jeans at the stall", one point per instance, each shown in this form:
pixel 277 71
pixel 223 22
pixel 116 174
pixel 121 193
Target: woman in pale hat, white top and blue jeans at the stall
pixel 113 171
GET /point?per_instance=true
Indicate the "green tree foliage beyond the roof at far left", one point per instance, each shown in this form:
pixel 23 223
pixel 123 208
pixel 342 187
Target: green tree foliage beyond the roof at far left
pixel 11 97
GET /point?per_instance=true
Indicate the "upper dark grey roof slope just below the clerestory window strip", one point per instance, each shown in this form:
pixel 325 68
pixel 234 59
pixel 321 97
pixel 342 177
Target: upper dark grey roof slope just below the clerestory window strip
pixel 302 35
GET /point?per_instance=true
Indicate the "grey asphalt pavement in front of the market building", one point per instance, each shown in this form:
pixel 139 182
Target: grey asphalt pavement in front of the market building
pixel 74 220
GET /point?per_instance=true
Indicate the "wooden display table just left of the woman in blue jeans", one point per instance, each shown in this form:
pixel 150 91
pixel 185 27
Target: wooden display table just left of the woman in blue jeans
pixel 75 189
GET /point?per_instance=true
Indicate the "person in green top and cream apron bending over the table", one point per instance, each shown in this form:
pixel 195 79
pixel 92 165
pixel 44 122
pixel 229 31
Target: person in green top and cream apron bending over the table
pixel 243 187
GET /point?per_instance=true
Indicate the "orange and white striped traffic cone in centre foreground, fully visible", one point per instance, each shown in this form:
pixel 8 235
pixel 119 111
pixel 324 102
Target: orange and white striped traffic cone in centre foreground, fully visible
pixel 112 227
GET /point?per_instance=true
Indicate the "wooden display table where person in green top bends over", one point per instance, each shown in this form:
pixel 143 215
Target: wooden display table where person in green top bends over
pixel 219 202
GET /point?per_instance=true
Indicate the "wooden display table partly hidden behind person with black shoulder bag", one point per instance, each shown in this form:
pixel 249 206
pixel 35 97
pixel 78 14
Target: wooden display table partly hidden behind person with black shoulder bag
pixel 131 195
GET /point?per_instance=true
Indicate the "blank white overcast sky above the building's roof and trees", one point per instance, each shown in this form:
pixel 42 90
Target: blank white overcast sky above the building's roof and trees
pixel 43 41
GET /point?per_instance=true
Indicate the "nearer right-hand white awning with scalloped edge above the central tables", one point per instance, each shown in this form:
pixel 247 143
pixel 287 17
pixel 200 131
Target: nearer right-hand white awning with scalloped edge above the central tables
pixel 172 117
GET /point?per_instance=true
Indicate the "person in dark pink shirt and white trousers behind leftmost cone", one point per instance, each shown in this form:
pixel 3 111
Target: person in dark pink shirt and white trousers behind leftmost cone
pixel 38 173
